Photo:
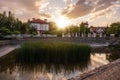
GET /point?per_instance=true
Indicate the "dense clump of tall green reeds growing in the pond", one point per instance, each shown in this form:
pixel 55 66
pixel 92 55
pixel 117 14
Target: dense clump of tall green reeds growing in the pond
pixel 53 53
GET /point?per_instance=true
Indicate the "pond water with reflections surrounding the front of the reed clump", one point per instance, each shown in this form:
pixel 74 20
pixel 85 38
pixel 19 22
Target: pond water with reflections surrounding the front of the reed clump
pixel 12 70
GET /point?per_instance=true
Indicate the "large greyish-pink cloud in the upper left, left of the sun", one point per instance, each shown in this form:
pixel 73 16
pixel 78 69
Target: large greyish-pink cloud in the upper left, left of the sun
pixel 25 9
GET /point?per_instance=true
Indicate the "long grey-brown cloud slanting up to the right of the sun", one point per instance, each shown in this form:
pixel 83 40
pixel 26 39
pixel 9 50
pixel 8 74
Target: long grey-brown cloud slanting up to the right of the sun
pixel 84 7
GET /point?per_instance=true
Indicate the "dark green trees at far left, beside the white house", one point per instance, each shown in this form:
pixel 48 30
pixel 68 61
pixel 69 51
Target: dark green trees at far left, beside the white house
pixel 11 25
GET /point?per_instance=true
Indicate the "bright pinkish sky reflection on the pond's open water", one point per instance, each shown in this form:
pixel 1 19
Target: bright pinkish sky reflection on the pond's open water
pixel 96 61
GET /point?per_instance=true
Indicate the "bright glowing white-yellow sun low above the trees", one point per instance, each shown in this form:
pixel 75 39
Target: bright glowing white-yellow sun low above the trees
pixel 62 22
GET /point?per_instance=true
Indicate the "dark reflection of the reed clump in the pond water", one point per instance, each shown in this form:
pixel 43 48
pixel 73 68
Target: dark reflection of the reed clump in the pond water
pixel 11 62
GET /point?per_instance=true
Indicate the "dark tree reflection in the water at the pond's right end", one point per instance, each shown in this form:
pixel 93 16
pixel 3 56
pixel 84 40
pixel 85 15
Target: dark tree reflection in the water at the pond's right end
pixel 115 54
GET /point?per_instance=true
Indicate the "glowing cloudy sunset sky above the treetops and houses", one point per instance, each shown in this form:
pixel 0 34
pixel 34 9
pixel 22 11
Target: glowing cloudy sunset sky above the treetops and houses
pixel 96 12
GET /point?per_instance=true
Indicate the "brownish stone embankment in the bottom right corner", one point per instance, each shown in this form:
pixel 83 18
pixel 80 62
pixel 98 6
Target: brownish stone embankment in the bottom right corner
pixel 110 71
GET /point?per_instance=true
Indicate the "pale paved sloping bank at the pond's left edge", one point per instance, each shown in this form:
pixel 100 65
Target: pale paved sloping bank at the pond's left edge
pixel 6 49
